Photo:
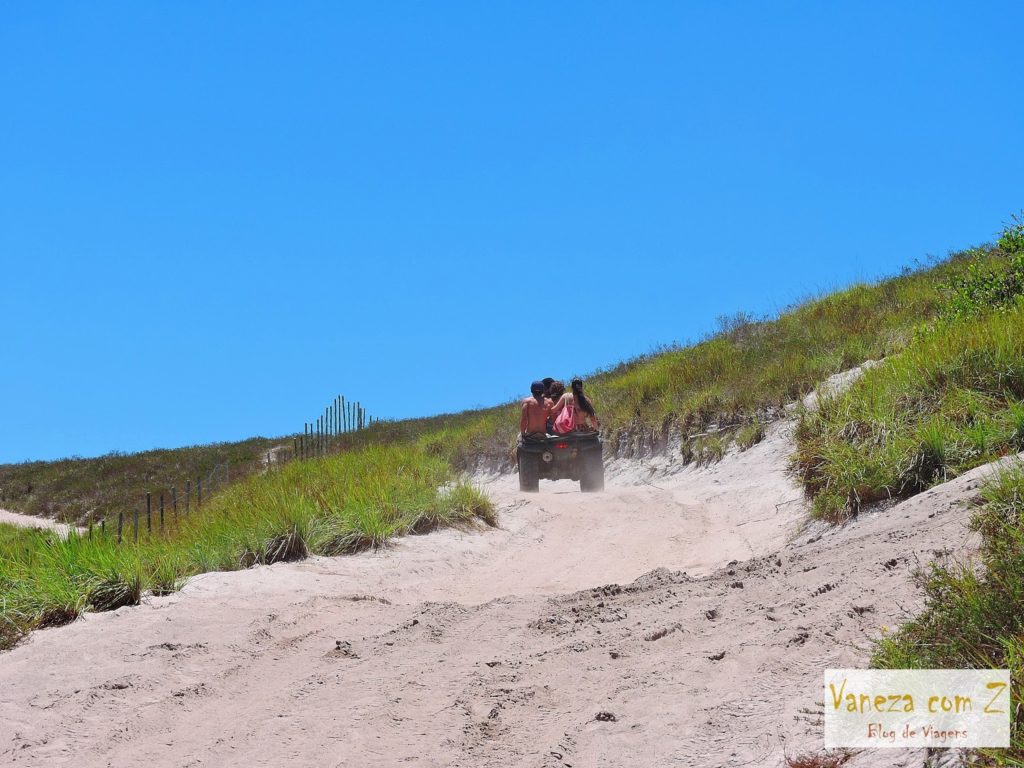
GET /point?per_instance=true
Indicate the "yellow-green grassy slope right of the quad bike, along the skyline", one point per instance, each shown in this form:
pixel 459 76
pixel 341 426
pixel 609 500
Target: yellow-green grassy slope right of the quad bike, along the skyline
pixel 751 366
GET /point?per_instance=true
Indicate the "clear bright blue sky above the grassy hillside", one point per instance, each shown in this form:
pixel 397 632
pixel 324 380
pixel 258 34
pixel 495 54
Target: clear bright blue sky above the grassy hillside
pixel 215 218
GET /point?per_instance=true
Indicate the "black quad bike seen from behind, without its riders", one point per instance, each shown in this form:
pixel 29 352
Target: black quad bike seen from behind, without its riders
pixel 577 456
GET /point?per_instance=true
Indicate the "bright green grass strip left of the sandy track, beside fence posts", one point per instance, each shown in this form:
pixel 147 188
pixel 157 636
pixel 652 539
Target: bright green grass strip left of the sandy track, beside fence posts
pixel 332 506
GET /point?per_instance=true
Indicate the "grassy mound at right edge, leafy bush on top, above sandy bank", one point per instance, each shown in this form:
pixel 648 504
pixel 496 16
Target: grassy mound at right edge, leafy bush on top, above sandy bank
pixel 952 400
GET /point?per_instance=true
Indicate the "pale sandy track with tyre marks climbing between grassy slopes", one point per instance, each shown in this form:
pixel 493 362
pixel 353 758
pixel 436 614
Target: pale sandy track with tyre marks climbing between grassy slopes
pixel 680 618
